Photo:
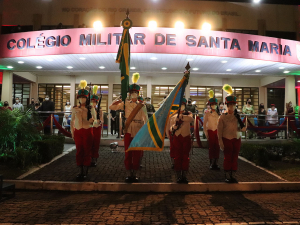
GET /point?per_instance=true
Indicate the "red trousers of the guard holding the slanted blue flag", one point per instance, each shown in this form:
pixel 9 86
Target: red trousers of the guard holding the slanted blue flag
pixel 182 147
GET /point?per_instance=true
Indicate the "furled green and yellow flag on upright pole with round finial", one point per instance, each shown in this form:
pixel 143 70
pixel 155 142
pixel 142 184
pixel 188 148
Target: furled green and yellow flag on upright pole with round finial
pixel 123 57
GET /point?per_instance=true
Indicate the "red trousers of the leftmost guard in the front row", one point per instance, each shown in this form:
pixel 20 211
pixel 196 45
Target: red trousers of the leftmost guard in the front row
pixel 83 141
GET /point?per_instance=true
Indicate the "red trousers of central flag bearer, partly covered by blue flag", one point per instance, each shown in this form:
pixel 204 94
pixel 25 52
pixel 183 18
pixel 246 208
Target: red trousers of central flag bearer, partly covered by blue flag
pixel 132 158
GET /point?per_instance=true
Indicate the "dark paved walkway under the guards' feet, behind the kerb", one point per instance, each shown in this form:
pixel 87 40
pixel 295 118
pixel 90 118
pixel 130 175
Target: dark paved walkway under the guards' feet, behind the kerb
pixel 156 168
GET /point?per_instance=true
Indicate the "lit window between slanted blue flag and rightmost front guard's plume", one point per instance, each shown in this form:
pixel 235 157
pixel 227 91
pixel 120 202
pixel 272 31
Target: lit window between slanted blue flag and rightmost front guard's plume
pixel 201 96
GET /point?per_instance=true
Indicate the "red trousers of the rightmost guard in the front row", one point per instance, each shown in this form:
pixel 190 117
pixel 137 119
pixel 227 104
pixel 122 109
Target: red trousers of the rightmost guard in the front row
pixel 231 153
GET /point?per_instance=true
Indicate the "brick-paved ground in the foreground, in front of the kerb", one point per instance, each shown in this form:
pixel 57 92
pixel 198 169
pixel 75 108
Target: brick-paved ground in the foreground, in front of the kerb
pixel 54 207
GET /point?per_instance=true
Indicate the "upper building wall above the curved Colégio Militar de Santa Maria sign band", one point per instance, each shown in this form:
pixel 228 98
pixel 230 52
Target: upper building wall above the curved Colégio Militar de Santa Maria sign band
pixel 221 15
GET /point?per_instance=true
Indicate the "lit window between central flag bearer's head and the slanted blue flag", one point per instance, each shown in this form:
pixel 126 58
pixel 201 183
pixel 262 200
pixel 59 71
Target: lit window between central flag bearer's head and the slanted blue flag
pixel 159 92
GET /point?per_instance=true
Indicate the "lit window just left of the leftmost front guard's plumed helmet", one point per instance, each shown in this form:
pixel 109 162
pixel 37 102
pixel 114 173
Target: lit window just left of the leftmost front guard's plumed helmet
pixel 58 93
